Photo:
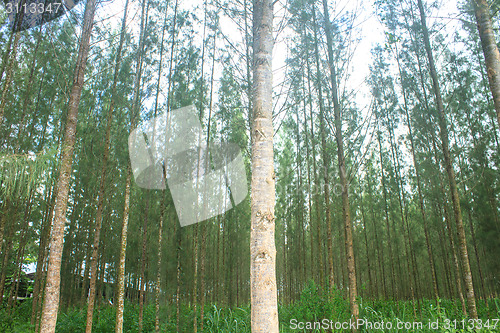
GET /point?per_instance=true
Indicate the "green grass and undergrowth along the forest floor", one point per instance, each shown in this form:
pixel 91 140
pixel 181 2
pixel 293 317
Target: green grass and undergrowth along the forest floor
pixel 314 307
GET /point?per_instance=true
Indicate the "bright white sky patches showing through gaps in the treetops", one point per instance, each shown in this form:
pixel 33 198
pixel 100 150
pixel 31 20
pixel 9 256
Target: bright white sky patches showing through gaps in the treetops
pixel 370 31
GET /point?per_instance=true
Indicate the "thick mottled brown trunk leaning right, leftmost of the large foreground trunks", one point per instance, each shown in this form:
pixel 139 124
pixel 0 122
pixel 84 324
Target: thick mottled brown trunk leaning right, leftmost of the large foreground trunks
pixel 51 301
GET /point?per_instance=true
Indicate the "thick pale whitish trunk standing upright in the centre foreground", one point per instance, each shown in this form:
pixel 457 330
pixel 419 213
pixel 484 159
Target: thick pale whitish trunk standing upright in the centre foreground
pixel 264 298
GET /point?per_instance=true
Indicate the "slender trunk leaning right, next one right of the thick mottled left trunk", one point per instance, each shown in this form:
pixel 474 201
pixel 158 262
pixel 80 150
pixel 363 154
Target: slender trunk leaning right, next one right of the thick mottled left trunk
pixel 102 186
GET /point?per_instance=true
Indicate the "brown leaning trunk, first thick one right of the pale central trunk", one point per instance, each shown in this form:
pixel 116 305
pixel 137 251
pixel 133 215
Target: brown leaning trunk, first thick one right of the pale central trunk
pixel 346 212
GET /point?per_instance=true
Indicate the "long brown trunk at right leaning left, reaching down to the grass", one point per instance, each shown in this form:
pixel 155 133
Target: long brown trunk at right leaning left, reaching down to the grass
pixel 455 199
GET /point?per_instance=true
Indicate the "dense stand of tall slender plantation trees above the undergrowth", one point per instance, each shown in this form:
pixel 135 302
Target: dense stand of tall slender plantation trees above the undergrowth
pixel 393 200
